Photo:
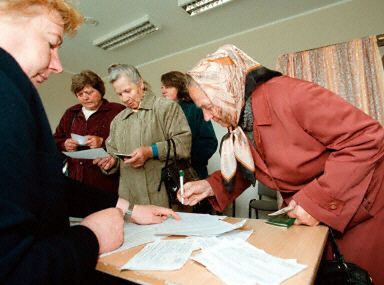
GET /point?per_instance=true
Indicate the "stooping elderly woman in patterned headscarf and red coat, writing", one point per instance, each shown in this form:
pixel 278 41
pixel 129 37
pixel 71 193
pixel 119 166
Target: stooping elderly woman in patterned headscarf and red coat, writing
pixel 324 156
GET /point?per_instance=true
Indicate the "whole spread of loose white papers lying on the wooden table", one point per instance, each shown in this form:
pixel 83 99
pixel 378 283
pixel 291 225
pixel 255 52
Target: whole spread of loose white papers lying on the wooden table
pixel 224 250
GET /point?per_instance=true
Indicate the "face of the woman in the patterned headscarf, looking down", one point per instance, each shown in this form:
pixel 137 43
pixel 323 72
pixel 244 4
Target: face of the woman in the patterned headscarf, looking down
pixel 210 111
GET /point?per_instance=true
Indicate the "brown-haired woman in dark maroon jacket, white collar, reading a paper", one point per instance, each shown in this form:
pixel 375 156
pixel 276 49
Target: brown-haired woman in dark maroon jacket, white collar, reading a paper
pixel 91 118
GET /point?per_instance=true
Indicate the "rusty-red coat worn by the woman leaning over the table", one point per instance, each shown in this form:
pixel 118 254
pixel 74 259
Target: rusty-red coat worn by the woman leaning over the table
pixel 325 154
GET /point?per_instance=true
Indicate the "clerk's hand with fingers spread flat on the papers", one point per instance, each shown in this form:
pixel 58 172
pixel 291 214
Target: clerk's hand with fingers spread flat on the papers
pixel 150 214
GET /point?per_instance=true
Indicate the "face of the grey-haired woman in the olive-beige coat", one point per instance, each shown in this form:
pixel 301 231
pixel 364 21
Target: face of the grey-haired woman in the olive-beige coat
pixel 130 93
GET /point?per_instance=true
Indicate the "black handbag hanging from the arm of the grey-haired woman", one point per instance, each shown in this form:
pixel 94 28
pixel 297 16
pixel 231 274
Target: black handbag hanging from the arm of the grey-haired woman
pixel 170 173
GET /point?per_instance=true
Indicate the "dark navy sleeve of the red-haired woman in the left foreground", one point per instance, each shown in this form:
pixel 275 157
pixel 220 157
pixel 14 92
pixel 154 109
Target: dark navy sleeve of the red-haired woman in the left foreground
pixel 34 249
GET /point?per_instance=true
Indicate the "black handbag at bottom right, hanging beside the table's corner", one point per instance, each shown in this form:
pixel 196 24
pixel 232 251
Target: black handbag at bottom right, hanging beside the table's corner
pixel 339 272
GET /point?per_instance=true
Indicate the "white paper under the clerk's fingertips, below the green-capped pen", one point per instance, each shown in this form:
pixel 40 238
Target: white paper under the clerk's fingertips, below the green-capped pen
pixel 196 225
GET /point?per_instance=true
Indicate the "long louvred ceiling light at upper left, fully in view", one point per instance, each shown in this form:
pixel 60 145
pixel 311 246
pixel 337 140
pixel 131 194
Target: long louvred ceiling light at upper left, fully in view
pixel 126 34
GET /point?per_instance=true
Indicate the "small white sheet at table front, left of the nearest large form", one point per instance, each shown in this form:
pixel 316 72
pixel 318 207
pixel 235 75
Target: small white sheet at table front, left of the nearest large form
pixel 161 255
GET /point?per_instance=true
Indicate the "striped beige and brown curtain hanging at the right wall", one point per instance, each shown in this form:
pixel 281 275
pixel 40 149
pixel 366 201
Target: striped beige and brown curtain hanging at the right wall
pixel 353 70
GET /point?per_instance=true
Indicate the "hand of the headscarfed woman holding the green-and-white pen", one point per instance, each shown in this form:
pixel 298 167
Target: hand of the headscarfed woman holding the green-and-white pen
pixel 195 191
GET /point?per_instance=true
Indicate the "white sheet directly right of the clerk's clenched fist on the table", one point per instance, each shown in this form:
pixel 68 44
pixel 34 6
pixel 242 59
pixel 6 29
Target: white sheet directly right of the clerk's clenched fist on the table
pixel 135 235
